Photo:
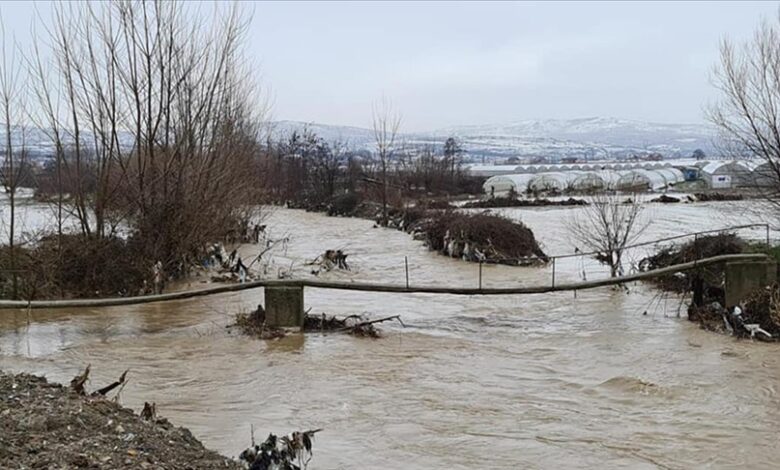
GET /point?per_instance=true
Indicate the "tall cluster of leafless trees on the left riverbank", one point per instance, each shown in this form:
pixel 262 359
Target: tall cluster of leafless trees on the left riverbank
pixel 155 115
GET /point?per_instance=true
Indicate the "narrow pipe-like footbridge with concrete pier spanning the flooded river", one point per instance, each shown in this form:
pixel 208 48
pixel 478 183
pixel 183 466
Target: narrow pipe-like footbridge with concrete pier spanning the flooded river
pixel 284 299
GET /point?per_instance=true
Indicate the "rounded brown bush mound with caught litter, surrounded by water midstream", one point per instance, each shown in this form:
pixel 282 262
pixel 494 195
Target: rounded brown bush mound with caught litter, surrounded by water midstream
pixel 483 238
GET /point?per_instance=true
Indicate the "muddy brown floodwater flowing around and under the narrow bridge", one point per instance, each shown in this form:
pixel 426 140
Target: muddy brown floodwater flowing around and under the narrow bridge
pixel 537 381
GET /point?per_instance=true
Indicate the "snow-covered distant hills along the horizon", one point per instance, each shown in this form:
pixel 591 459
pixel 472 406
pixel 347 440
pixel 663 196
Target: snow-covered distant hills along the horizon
pixel 587 138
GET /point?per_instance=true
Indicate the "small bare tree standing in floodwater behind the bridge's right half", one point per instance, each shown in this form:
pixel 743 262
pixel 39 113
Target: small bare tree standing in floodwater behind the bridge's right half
pixel 607 226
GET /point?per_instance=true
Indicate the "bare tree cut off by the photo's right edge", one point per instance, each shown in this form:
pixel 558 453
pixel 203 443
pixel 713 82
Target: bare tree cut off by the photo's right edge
pixel 748 113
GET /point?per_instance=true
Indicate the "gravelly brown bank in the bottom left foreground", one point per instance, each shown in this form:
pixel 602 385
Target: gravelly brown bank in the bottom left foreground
pixel 48 426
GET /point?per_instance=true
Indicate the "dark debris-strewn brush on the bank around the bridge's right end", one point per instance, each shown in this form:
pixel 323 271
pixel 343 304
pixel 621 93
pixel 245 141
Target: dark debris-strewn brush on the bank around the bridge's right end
pixel 757 317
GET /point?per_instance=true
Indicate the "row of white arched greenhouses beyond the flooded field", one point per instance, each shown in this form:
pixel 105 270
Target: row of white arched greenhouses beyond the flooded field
pixel 597 180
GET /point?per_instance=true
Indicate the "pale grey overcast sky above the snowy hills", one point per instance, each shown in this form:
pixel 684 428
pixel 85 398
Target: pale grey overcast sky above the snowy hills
pixel 444 63
